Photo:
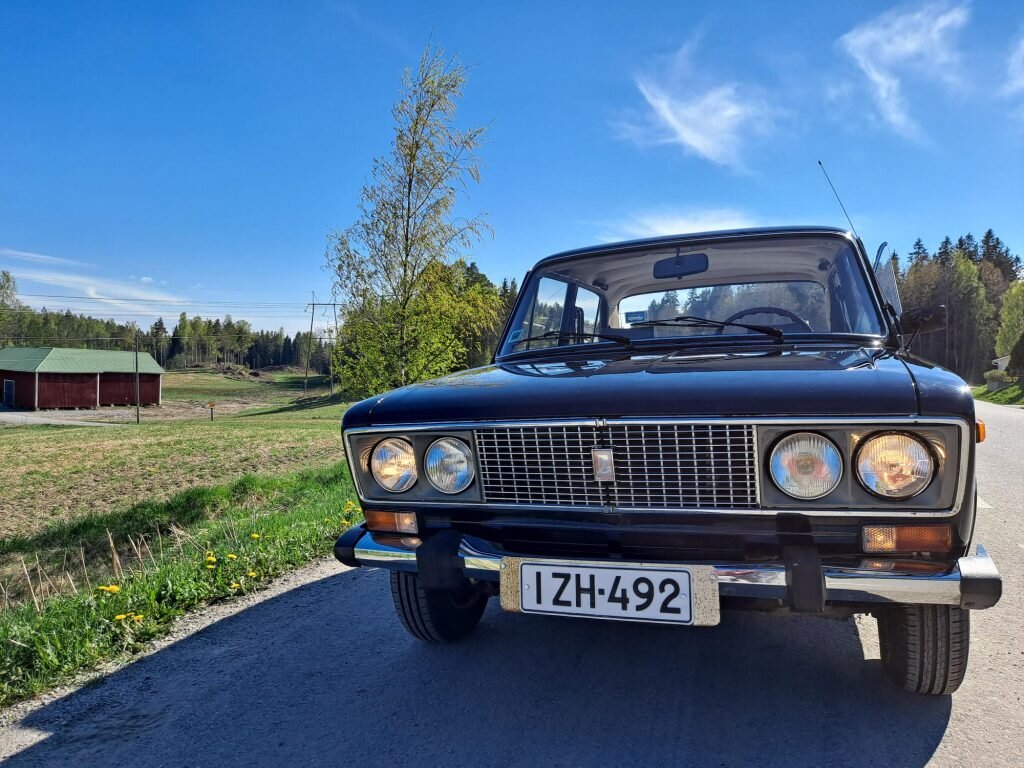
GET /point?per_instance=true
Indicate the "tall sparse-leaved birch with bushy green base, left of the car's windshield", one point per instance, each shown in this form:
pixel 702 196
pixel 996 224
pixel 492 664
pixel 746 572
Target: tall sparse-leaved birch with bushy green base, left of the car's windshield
pixel 413 310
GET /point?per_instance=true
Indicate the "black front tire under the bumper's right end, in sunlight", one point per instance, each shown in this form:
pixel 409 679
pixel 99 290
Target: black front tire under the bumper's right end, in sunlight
pixel 925 648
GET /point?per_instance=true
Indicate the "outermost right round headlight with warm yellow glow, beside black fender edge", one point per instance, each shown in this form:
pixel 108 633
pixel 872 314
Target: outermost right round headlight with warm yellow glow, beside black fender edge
pixel 895 465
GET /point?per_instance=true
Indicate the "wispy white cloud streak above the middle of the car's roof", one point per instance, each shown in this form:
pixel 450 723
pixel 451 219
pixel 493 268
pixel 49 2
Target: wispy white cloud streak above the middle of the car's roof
pixel 709 119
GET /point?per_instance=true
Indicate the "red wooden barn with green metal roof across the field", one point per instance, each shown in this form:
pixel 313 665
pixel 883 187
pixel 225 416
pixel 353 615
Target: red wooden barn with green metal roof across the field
pixel 51 377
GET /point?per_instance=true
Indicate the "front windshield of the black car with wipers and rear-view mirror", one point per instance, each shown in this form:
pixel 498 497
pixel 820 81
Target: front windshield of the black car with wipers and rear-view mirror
pixel 801 285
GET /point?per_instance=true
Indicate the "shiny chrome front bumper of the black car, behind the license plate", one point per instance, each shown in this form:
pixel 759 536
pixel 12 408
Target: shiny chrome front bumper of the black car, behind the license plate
pixel 974 583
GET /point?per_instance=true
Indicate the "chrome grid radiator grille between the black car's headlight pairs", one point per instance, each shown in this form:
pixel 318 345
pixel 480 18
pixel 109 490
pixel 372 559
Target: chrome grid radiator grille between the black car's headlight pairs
pixel 658 466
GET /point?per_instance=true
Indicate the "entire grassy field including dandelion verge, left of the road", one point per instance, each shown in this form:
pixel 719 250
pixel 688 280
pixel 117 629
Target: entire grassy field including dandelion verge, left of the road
pixel 109 534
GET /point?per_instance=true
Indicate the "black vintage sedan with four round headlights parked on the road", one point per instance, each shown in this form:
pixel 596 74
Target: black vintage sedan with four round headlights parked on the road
pixel 678 426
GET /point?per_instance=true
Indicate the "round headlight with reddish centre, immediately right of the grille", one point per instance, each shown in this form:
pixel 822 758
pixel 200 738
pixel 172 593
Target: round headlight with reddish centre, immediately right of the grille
pixel 806 465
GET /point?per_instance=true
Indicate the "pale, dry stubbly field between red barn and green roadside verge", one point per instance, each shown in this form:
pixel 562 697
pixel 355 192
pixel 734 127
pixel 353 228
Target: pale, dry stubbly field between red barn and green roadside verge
pixel 59 475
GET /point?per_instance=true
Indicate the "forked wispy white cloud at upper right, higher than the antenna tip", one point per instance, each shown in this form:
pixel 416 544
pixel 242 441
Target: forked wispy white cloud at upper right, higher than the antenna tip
pixel 902 42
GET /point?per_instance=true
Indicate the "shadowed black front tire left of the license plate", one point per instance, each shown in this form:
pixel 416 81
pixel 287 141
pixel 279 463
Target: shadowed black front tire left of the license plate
pixel 437 616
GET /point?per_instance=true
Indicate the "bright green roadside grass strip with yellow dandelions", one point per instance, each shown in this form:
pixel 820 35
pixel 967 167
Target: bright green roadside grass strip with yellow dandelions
pixel 271 525
